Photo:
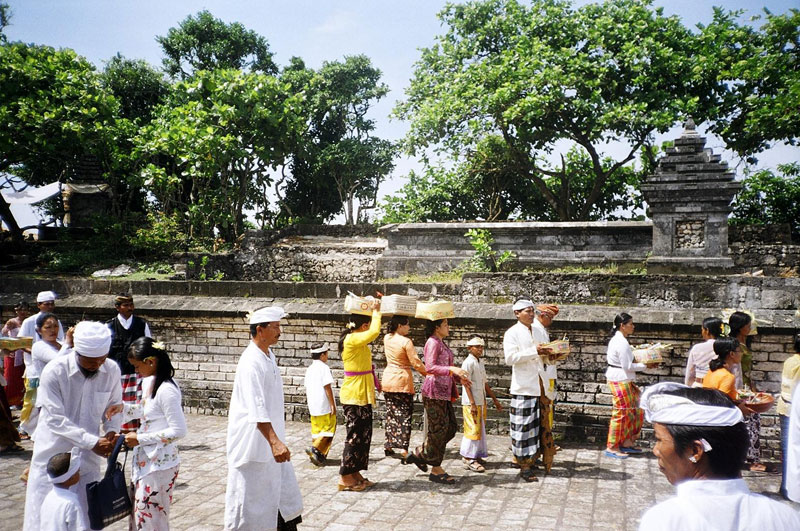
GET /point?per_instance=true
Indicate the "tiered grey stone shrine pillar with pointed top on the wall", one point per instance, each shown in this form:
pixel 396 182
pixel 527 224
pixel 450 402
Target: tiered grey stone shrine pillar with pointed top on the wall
pixel 689 198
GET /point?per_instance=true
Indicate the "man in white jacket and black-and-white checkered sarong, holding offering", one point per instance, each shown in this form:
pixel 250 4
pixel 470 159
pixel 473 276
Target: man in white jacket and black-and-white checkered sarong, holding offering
pixel 527 363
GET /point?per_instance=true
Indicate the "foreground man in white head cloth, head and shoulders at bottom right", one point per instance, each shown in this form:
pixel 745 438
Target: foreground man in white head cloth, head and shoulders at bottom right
pixel 701 444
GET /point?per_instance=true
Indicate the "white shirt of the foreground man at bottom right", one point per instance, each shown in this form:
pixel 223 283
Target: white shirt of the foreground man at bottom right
pixel 719 505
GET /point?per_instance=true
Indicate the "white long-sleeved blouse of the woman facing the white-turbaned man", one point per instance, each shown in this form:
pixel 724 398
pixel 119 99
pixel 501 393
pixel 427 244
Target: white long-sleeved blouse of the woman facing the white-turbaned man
pixel 162 423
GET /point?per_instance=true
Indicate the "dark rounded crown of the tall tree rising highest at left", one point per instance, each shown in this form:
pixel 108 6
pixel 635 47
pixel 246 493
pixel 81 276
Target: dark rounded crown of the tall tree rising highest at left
pixel 203 42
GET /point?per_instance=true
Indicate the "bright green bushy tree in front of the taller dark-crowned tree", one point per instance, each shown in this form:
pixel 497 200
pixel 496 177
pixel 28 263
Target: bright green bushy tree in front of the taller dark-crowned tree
pixel 212 148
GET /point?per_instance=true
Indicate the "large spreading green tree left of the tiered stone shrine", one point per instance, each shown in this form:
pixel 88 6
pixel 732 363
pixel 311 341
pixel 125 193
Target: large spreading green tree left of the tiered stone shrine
pixel 545 74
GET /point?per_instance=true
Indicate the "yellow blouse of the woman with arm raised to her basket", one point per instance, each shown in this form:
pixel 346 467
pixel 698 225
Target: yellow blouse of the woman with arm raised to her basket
pixel 356 357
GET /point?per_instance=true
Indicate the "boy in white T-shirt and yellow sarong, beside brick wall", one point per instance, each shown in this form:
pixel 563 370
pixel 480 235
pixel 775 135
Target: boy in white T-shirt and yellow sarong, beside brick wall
pixel 321 404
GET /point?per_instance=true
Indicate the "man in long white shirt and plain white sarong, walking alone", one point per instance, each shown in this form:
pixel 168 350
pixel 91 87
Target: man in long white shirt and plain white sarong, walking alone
pixel 262 491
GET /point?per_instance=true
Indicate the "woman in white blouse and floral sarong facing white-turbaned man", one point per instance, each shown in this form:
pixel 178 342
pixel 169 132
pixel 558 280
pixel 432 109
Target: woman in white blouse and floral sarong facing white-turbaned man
pixel 155 454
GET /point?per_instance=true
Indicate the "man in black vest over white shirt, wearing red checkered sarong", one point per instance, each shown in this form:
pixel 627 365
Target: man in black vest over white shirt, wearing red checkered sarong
pixel 125 329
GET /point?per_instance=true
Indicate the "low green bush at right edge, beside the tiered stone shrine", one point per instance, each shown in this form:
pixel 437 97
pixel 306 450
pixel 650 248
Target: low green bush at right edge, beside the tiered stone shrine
pixel 767 197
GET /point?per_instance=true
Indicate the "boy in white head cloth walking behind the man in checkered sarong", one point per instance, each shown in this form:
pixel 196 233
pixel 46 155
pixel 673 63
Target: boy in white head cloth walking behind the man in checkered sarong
pixel 473 400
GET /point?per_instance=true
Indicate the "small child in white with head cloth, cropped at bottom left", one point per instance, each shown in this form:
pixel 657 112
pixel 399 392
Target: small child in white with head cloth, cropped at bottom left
pixel 61 510
